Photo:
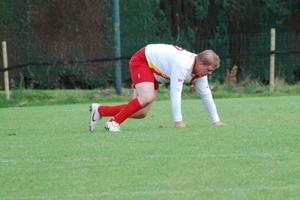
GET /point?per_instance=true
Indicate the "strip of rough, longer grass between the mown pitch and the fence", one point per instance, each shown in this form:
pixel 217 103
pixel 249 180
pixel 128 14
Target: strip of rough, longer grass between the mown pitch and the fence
pixel 25 98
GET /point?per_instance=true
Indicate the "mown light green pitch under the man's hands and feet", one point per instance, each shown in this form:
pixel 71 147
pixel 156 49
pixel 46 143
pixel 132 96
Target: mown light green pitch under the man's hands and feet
pixel 47 152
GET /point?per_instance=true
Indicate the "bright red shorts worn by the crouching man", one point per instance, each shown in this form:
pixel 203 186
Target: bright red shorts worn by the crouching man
pixel 139 69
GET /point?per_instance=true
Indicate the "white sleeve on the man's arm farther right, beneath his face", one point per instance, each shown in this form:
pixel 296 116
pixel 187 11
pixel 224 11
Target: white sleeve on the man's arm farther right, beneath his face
pixel 206 96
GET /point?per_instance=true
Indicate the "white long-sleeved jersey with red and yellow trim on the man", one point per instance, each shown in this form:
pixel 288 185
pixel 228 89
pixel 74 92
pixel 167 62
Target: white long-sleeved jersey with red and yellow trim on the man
pixel 175 65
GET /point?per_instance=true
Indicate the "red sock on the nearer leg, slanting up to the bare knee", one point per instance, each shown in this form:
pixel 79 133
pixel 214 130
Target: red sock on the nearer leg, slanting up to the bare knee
pixel 132 107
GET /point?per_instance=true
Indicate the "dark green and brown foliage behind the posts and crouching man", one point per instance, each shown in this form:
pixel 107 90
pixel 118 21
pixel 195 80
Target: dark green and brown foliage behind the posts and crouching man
pixel 48 31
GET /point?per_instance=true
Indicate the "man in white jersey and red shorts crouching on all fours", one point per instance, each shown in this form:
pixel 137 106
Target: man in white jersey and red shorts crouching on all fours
pixel 155 64
